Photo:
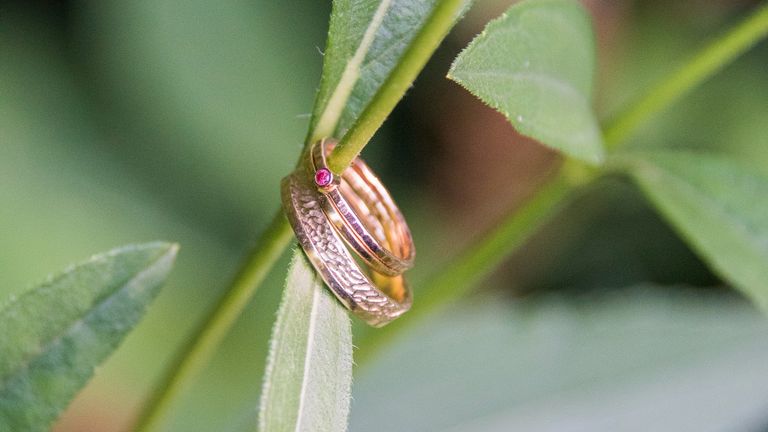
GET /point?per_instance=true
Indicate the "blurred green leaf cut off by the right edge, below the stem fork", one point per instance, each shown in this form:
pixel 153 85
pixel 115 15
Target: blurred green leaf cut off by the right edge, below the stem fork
pixel 720 207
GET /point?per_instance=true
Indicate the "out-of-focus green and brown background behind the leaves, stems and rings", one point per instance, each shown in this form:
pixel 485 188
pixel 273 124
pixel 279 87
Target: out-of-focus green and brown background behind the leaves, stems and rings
pixel 129 121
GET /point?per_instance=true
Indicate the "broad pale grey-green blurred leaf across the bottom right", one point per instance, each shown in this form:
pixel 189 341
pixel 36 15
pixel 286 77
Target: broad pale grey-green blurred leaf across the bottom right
pixel 661 359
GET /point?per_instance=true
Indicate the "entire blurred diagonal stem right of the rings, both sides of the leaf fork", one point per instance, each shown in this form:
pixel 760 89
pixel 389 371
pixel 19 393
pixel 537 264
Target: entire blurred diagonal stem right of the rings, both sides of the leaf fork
pixel 457 278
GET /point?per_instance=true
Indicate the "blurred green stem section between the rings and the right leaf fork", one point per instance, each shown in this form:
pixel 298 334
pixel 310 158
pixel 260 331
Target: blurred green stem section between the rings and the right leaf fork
pixel 458 277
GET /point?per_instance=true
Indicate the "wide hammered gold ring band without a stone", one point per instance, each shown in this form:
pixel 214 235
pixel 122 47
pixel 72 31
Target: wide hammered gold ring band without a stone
pixel 376 301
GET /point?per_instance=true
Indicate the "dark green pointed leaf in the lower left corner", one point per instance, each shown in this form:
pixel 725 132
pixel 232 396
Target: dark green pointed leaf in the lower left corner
pixel 56 334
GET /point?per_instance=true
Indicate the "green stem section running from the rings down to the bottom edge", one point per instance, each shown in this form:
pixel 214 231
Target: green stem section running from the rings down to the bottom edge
pixel 201 347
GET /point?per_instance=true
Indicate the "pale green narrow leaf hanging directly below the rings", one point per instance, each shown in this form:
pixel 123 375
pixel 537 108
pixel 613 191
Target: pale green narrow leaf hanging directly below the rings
pixel 309 372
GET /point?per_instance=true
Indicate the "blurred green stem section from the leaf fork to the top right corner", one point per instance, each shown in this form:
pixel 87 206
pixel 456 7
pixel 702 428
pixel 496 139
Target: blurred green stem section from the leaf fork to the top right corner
pixel 698 69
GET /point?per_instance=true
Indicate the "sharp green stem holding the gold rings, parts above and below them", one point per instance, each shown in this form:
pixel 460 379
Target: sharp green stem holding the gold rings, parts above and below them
pixel 196 354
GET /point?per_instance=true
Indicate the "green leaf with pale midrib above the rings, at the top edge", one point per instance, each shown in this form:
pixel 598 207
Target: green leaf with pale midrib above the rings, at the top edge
pixel 366 40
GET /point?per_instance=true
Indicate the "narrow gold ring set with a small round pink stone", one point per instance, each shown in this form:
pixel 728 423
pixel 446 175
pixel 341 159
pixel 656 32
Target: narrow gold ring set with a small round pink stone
pixel 363 211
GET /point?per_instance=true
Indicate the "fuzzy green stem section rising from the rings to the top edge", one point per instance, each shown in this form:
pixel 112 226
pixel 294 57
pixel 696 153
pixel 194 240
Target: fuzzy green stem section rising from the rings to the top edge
pixel 400 79
